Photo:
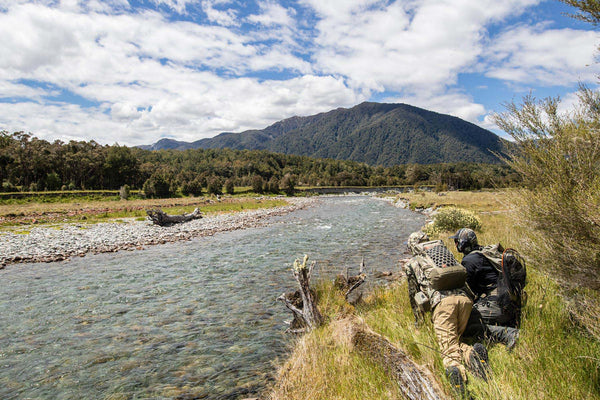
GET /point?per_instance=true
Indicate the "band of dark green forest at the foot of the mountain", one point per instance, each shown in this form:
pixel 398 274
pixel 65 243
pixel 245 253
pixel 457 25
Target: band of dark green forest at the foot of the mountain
pixel 31 164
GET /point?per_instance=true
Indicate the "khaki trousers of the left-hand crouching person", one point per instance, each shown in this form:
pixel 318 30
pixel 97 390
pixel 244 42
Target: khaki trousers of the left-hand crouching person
pixel 450 318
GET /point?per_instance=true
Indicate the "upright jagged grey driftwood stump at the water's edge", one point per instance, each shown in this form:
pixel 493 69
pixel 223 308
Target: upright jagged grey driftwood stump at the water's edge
pixel 302 303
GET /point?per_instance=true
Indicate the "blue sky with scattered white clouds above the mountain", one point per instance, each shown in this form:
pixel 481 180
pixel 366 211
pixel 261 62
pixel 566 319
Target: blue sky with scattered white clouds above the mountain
pixel 135 71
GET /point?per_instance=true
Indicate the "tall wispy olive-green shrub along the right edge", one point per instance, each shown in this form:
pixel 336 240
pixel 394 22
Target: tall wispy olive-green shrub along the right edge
pixel 558 156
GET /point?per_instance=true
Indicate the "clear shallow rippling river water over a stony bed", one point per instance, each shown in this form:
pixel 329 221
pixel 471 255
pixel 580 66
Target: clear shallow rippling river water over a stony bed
pixel 185 320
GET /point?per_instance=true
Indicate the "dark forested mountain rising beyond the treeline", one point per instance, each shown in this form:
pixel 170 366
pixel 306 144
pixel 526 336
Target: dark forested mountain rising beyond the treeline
pixel 373 133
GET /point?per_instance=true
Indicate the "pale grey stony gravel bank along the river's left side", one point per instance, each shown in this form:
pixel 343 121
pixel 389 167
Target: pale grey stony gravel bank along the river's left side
pixel 60 242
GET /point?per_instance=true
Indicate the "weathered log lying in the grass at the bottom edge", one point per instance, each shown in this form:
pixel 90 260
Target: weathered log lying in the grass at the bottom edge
pixel 415 382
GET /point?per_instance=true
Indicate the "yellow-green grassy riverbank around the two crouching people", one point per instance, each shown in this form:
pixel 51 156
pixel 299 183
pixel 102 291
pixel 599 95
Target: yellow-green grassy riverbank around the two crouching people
pixel 554 359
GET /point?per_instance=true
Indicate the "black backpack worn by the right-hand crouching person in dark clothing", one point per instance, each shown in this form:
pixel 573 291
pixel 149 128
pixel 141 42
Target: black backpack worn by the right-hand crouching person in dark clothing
pixel 512 278
